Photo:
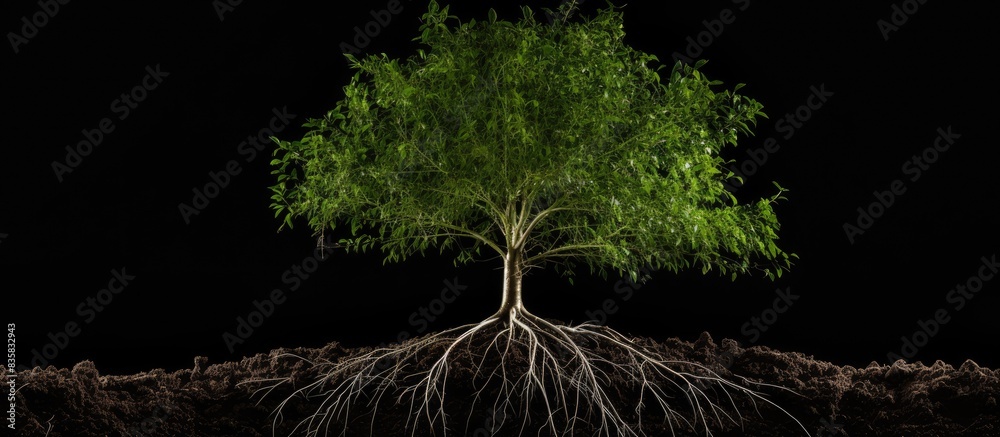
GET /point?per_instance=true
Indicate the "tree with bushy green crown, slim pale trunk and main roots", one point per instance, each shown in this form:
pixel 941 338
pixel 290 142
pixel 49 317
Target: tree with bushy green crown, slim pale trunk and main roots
pixel 543 144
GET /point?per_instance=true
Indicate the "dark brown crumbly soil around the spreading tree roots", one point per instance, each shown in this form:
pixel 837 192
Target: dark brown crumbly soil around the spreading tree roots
pixel 208 400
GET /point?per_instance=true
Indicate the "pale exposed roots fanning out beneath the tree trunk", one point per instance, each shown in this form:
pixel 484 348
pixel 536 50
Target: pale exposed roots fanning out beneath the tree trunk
pixel 556 379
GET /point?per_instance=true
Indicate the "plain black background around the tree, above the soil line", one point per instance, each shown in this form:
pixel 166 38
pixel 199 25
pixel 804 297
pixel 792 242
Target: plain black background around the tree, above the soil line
pixel 59 241
